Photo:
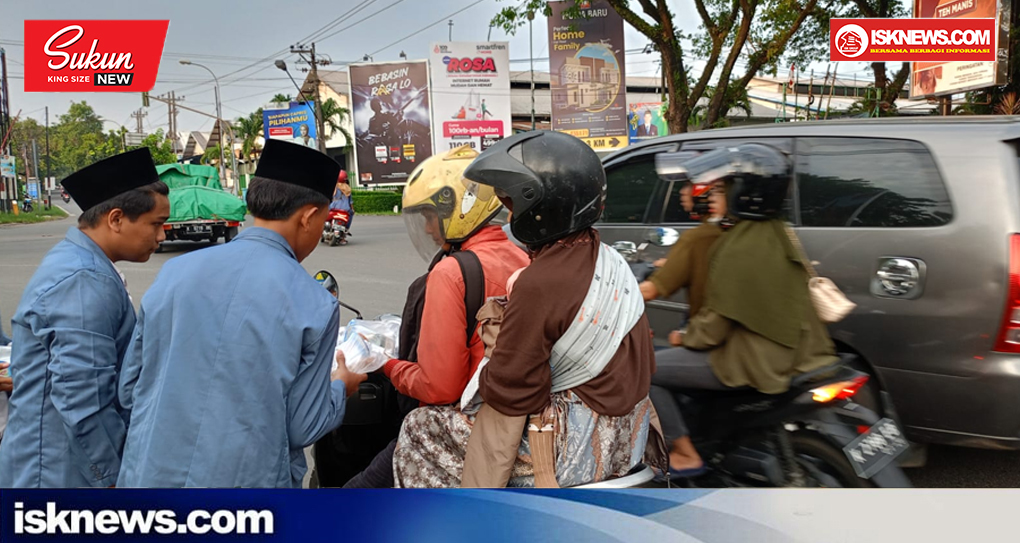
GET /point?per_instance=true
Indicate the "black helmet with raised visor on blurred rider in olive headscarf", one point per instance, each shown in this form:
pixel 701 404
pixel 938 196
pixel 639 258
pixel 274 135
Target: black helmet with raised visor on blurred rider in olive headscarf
pixel 757 178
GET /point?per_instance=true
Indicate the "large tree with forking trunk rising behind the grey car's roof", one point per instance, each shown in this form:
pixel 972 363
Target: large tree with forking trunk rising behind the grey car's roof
pixel 728 25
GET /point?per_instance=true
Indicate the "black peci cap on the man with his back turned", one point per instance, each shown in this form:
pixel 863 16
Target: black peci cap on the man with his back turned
pixel 297 165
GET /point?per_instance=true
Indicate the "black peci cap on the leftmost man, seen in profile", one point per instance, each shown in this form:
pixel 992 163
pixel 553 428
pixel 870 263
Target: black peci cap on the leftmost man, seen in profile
pixel 94 185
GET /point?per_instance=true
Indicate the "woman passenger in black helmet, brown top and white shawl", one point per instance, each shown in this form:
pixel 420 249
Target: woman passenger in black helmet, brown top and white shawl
pixel 575 345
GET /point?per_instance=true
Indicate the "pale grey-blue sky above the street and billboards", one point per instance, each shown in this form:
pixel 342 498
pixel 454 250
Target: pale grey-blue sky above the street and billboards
pixel 239 40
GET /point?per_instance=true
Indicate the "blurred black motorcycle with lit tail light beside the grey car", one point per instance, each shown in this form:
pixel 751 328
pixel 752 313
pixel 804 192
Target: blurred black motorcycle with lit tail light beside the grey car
pixel 813 435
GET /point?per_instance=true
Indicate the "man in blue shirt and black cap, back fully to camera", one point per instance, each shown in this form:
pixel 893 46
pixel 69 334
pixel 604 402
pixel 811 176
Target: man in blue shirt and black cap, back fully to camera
pixel 229 379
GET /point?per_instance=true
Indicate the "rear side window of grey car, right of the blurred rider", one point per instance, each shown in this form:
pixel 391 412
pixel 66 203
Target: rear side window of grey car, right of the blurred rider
pixel 870 182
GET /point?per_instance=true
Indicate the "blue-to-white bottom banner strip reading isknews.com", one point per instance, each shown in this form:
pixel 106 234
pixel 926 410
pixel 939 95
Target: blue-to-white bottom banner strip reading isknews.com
pixel 453 516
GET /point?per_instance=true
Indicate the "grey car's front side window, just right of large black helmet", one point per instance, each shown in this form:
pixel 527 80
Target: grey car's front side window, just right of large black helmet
pixel 632 186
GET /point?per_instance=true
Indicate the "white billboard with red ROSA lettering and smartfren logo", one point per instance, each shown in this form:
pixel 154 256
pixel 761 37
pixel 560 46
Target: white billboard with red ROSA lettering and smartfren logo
pixel 471 94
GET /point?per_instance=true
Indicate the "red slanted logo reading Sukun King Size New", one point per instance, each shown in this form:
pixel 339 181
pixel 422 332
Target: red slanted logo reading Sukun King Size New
pixel 93 56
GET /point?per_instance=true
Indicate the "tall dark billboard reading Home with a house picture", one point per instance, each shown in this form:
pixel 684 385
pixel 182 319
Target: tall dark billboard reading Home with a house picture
pixel 588 75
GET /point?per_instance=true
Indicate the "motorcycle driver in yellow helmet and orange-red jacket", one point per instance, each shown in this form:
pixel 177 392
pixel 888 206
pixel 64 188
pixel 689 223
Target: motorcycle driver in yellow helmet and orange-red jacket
pixel 446 217
